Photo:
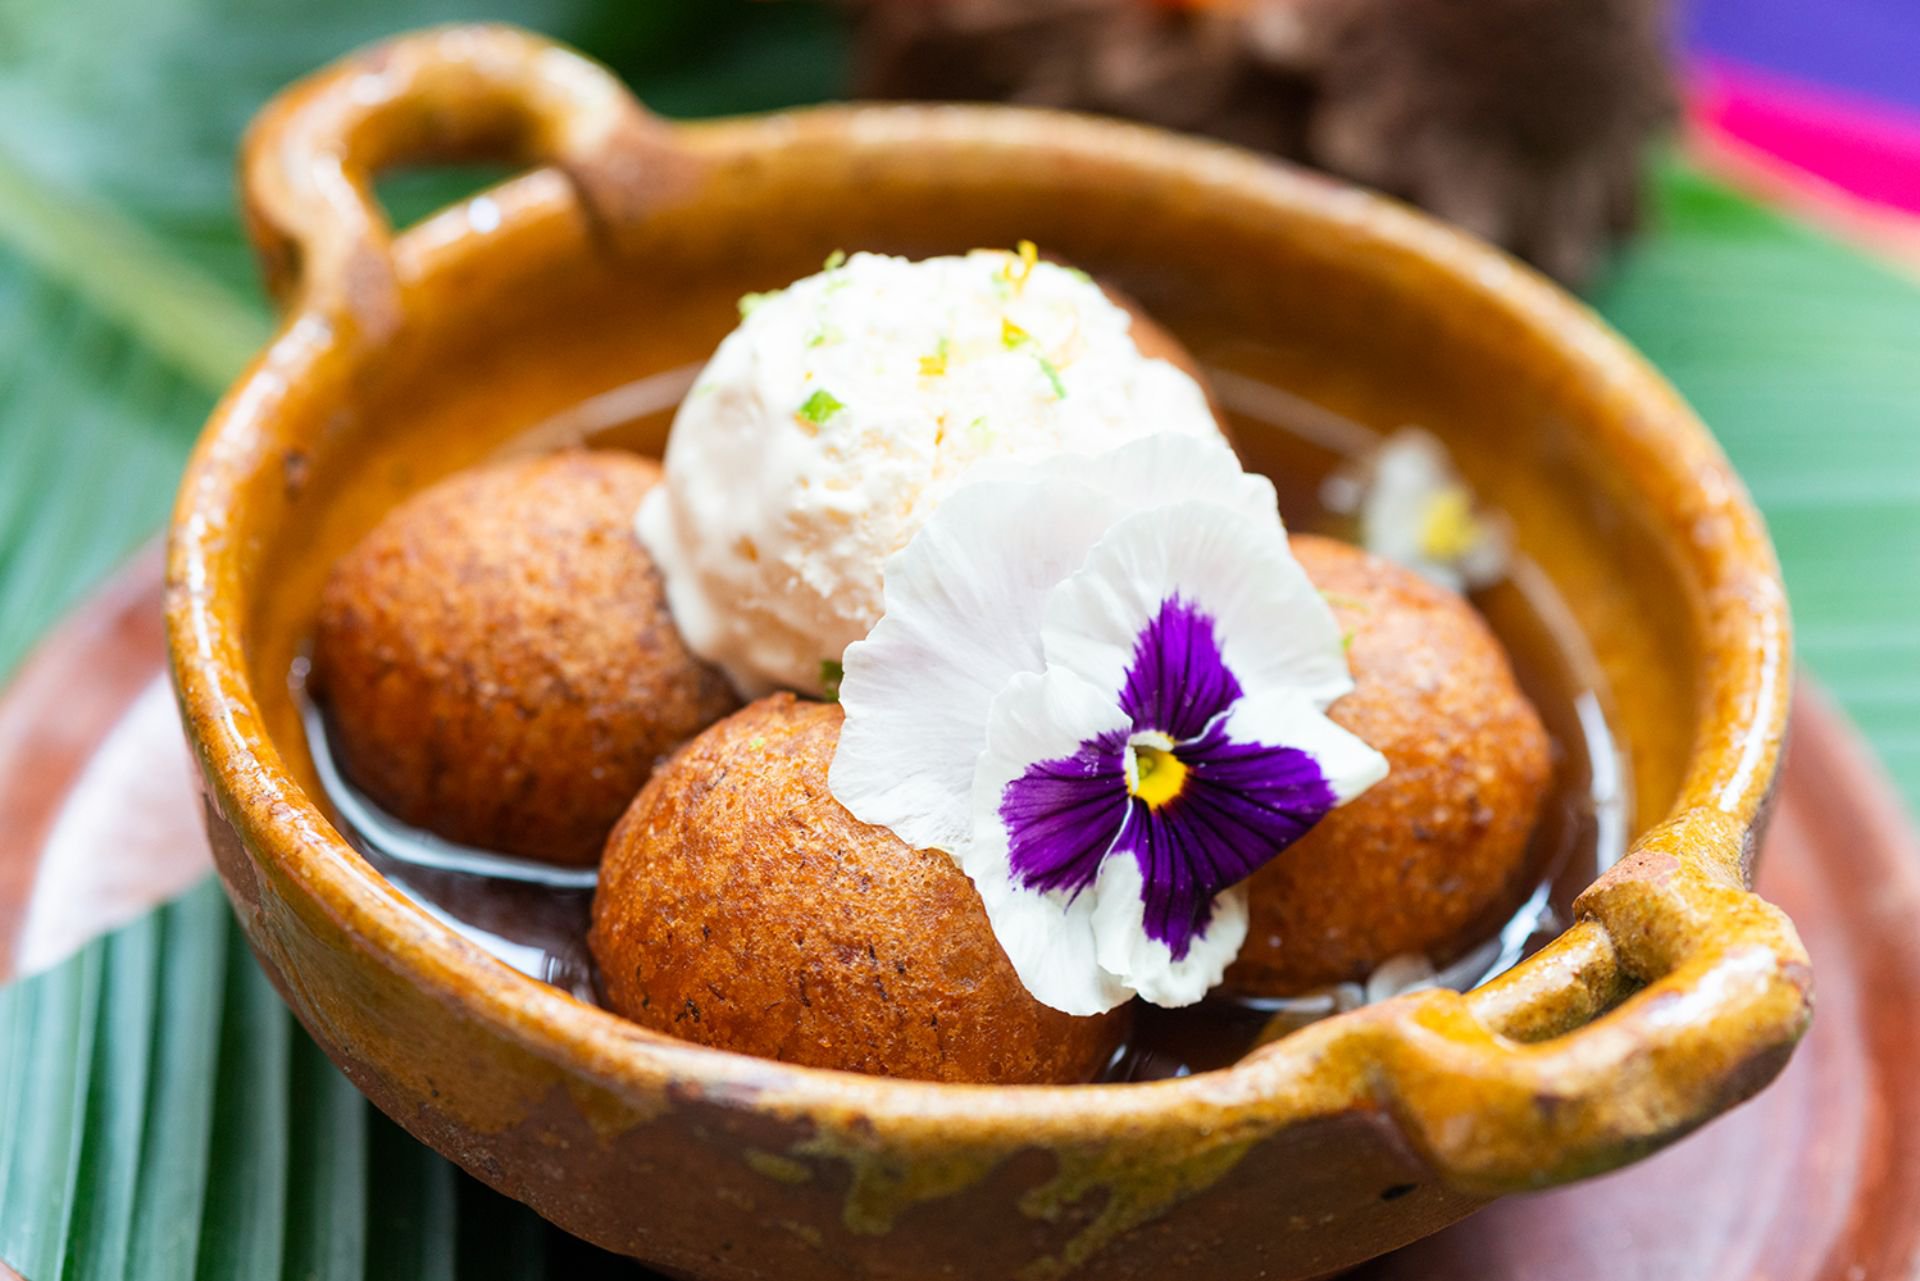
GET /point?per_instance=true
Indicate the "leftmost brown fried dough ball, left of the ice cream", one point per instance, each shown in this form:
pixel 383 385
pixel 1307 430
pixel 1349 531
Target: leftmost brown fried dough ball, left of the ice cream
pixel 498 662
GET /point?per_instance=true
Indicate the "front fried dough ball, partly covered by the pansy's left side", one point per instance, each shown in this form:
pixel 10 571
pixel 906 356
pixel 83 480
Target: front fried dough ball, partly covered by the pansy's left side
pixel 742 907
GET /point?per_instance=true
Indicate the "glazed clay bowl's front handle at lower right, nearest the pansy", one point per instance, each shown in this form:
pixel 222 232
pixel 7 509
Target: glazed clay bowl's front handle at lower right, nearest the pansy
pixel 1700 990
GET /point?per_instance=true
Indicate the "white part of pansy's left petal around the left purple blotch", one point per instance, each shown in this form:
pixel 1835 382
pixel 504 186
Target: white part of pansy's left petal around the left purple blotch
pixel 1047 936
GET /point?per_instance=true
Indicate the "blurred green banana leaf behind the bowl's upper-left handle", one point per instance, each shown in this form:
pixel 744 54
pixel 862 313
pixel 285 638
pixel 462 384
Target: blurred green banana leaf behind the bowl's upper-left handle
pixel 128 295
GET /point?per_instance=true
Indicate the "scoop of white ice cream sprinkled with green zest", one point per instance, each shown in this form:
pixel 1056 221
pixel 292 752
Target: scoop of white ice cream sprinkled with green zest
pixel 840 414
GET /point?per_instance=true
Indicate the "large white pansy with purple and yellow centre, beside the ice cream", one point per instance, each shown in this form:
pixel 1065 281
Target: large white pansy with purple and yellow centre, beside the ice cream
pixel 1101 687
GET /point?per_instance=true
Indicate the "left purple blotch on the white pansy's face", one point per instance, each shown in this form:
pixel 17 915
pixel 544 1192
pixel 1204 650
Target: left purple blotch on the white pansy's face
pixel 1065 815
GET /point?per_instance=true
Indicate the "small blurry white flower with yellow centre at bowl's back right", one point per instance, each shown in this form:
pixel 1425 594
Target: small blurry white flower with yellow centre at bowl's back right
pixel 1416 510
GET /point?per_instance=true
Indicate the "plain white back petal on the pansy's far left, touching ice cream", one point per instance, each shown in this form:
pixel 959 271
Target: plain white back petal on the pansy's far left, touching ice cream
pixel 965 602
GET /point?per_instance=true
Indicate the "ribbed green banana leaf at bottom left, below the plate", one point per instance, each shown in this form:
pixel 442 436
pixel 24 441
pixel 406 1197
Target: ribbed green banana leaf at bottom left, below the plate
pixel 174 1124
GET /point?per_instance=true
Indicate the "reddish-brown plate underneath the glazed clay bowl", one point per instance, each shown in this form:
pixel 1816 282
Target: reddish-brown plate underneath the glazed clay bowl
pixel 1817 1180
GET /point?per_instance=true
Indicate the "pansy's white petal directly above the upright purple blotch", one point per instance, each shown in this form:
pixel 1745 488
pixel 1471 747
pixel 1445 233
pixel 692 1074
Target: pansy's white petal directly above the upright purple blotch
pixel 1274 629
